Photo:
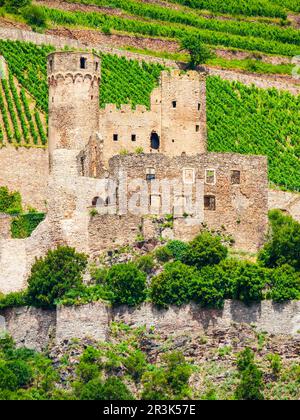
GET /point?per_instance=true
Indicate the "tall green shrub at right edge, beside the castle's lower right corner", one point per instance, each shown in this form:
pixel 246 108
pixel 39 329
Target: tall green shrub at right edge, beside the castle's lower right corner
pixel 283 246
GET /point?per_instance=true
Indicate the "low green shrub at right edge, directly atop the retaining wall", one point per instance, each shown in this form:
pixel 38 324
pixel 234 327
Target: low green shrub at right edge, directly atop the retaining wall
pixel 285 284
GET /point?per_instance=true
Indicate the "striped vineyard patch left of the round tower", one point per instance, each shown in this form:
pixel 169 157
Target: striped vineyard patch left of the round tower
pixel 22 123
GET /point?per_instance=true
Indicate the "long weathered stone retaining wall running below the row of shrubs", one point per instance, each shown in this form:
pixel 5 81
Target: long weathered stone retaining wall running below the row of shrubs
pixel 37 328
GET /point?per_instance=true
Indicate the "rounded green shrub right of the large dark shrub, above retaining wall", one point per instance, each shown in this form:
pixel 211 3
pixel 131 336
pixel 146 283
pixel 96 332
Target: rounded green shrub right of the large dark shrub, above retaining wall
pixel 127 284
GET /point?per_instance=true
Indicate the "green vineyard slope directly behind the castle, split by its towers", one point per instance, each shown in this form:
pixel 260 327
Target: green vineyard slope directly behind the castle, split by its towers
pixel 241 119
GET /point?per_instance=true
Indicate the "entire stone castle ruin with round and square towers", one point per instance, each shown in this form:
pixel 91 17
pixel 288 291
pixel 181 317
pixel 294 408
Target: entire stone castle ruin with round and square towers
pixel 101 160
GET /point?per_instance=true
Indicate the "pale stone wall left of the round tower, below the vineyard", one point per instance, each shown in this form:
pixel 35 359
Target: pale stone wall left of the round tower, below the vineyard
pixel 26 171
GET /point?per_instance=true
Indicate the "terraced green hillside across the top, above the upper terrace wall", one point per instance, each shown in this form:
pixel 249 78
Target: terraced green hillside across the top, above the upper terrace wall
pixel 274 35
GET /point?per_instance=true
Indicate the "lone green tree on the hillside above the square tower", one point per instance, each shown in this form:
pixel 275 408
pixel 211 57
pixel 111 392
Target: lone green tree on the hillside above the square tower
pixel 199 53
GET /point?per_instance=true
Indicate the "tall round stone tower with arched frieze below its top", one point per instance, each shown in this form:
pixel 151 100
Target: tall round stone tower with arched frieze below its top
pixel 74 79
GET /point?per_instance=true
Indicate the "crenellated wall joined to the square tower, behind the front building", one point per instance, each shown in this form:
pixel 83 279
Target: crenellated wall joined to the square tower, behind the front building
pixel 177 116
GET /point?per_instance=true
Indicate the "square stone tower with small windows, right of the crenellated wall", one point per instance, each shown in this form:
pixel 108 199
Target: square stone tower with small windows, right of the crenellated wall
pixel 183 112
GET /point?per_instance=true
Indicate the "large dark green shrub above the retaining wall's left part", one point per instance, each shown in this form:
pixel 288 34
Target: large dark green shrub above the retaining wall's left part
pixel 51 277
